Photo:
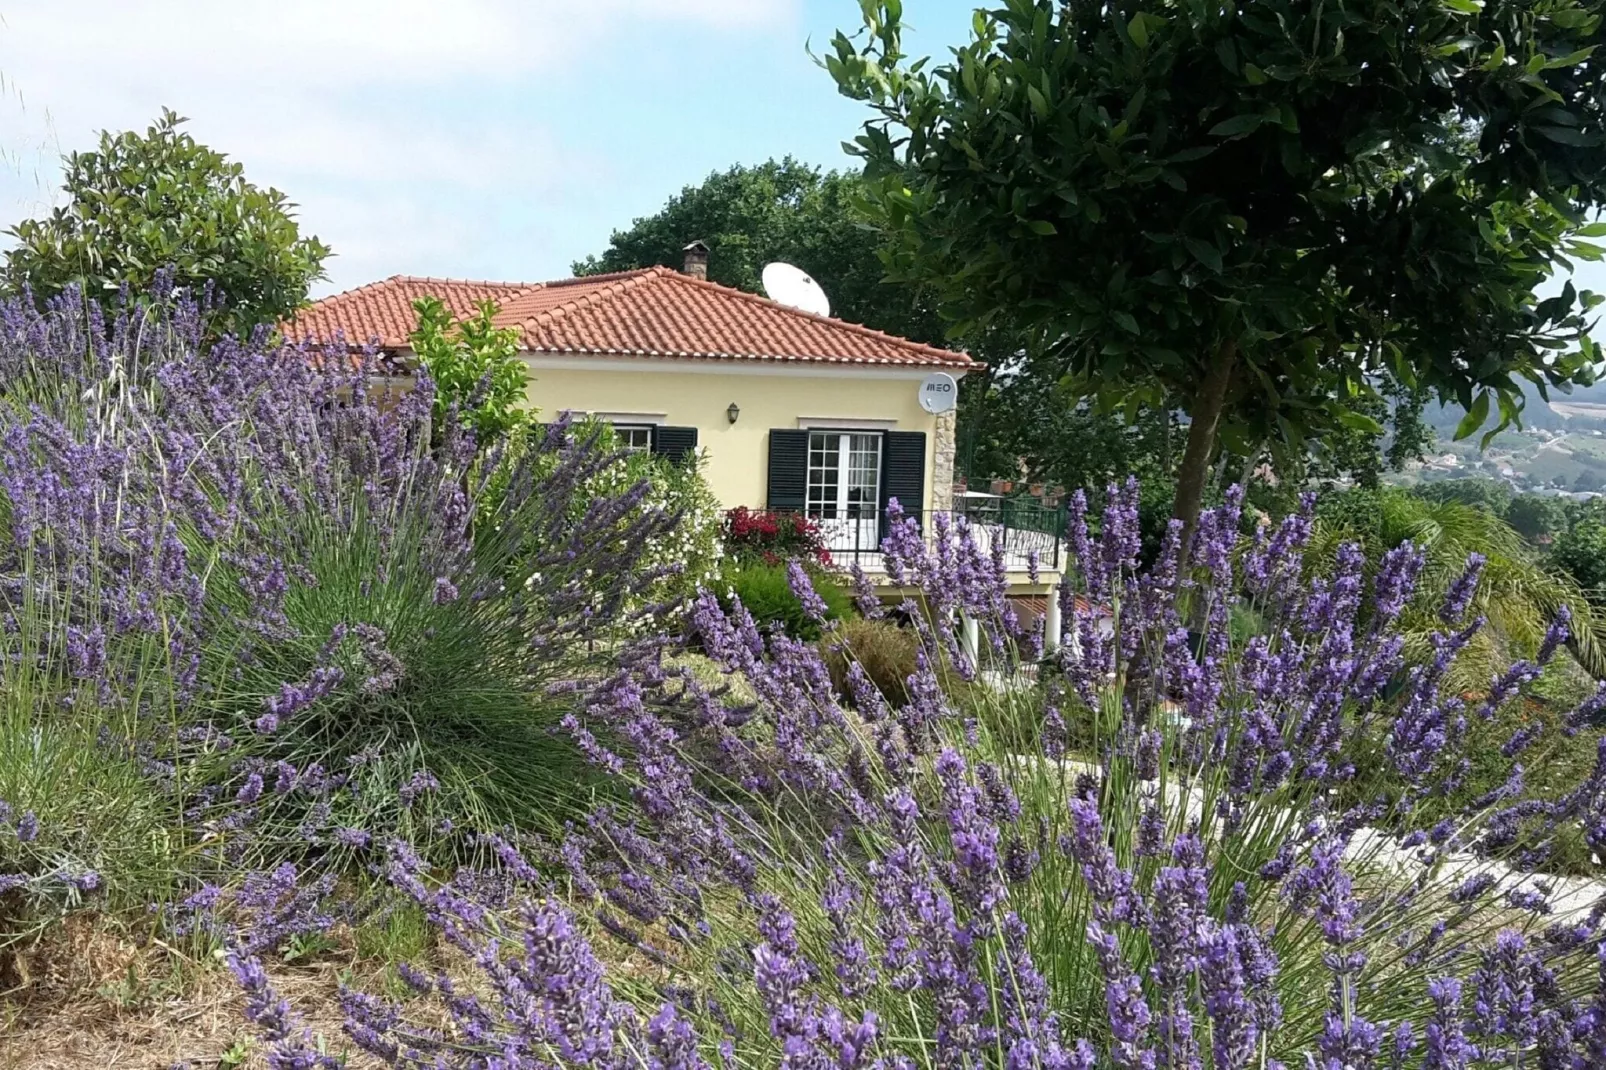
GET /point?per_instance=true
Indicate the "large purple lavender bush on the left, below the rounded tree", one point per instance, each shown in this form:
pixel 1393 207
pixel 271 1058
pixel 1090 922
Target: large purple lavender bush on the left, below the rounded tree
pixel 280 597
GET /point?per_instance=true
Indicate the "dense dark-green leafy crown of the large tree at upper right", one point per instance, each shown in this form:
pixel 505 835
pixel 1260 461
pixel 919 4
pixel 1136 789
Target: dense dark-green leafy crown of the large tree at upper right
pixel 1255 210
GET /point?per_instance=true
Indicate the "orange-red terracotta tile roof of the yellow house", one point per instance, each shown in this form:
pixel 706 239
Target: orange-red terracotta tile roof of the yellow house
pixel 653 312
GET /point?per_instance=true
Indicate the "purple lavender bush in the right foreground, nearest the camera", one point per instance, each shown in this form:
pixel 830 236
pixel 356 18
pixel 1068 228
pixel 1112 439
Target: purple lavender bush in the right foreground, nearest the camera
pixel 809 883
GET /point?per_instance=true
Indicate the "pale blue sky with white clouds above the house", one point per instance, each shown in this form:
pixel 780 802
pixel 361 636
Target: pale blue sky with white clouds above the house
pixel 478 139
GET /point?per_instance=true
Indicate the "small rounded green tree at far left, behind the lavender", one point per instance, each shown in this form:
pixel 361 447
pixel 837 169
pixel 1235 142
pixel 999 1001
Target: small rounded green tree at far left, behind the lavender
pixel 163 202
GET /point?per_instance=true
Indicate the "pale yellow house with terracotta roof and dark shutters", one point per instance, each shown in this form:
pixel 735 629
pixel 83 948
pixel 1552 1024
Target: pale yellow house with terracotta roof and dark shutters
pixel 788 410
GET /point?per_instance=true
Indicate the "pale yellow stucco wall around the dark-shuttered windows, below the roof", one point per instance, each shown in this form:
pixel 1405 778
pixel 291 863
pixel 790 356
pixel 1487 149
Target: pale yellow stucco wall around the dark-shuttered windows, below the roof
pixel 698 394
